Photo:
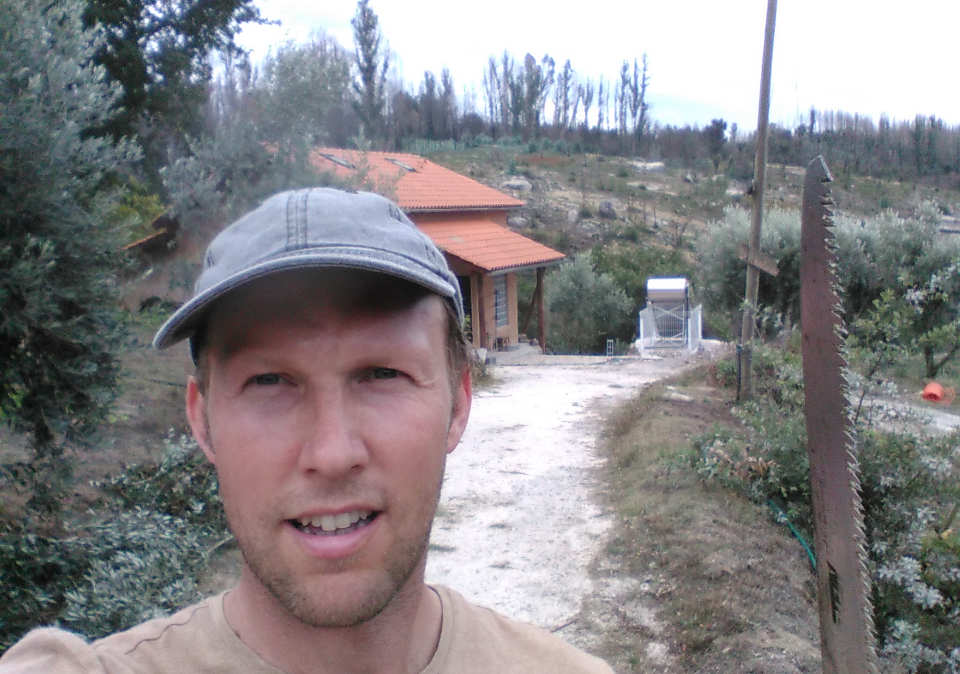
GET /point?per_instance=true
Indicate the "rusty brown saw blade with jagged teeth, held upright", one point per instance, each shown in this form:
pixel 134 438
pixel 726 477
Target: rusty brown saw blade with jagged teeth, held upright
pixel 843 584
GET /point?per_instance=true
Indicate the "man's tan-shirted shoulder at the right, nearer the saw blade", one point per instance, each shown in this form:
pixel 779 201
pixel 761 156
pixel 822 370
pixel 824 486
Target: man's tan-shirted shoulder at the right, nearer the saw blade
pixel 474 638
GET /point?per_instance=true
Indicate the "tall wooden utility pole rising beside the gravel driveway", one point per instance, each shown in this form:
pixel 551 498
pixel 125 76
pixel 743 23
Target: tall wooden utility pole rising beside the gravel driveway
pixel 745 386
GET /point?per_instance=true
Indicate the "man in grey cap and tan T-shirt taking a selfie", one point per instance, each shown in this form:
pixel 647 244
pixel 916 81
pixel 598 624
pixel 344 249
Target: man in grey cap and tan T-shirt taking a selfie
pixel 332 381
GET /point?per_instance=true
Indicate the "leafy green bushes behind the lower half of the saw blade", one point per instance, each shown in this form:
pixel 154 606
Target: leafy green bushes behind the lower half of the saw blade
pixel 910 485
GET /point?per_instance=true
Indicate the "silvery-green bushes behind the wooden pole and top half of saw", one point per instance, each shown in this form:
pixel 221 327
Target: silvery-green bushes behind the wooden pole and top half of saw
pixel 902 262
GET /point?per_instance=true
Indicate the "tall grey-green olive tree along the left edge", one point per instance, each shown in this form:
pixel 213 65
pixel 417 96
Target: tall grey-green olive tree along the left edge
pixel 59 328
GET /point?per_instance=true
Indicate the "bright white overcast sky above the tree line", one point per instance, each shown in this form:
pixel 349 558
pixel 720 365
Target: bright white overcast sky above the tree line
pixel 863 56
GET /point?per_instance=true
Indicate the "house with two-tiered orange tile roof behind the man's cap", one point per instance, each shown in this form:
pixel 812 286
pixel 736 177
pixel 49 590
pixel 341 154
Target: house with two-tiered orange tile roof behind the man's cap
pixel 468 222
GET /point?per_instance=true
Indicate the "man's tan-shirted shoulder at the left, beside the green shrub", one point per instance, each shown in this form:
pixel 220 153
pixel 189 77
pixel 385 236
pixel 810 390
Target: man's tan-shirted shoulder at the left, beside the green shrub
pixel 164 644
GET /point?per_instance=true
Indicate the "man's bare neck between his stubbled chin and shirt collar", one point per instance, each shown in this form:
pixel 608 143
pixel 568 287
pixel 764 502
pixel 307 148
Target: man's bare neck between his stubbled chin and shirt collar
pixel 400 640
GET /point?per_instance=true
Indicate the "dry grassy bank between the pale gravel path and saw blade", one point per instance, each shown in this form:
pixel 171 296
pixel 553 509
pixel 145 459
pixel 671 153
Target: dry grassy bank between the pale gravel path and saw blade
pixel 715 561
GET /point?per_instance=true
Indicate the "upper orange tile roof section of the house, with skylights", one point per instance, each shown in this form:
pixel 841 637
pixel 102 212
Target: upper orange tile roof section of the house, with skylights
pixel 415 183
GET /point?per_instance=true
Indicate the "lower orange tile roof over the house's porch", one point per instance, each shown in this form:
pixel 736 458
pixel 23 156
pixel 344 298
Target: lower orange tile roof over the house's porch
pixel 488 245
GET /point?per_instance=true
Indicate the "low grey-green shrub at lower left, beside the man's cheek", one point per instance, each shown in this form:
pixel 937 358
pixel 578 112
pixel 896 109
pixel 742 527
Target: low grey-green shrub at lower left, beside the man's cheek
pixel 138 558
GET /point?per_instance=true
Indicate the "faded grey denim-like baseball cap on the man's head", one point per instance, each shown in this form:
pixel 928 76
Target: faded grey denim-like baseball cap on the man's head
pixel 308 229
